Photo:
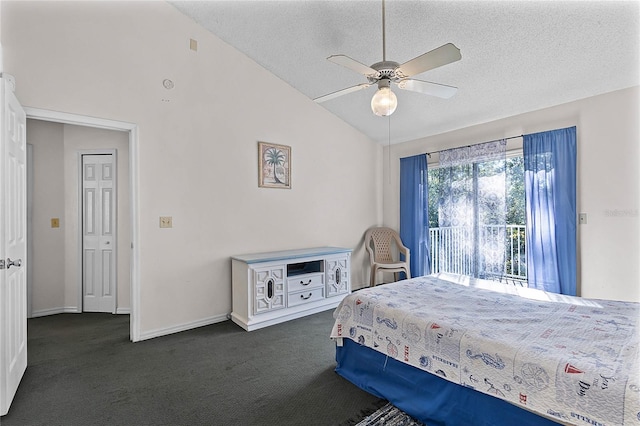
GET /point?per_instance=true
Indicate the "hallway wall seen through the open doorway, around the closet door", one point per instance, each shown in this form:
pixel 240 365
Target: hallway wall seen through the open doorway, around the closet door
pixel 55 264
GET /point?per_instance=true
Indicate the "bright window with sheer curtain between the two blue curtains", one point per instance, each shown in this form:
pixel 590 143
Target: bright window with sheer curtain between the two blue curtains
pixel 477 219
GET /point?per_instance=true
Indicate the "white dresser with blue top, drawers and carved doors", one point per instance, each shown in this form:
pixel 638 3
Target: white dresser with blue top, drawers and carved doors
pixel 273 287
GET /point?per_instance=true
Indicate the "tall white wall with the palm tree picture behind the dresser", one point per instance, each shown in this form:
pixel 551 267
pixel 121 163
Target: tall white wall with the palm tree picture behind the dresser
pixel 197 145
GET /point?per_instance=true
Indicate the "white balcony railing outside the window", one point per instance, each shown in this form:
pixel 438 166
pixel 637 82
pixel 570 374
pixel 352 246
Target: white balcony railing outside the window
pixel 452 251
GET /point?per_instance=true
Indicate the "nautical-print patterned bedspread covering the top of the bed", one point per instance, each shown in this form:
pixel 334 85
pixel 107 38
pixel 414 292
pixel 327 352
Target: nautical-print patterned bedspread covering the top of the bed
pixel 575 360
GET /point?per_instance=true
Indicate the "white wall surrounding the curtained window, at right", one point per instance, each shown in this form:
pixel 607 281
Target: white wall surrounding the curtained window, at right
pixel 608 182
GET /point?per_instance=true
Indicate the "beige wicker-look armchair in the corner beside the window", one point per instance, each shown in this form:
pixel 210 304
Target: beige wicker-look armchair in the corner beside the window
pixel 380 244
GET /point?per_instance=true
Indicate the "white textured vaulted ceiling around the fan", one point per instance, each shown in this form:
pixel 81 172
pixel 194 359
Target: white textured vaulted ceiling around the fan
pixel 517 56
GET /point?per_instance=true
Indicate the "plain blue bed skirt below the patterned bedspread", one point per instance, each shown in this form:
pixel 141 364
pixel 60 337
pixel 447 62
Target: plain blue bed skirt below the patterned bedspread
pixel 425 396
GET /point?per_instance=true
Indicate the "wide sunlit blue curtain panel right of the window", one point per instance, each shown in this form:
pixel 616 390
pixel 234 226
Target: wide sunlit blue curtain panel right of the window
pixel 550 189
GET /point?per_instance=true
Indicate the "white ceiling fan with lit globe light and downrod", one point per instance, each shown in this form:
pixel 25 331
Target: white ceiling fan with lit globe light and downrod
pixel 383 73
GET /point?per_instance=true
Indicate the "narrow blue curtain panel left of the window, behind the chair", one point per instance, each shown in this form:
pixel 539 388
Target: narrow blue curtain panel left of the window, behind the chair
pixel 414 212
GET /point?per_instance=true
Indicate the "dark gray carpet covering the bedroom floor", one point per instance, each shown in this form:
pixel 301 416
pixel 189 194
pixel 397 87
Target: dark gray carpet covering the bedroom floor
pixel 83 370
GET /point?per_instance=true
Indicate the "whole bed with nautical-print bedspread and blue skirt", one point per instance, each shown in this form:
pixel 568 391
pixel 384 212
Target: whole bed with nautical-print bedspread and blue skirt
pixel 450 350
